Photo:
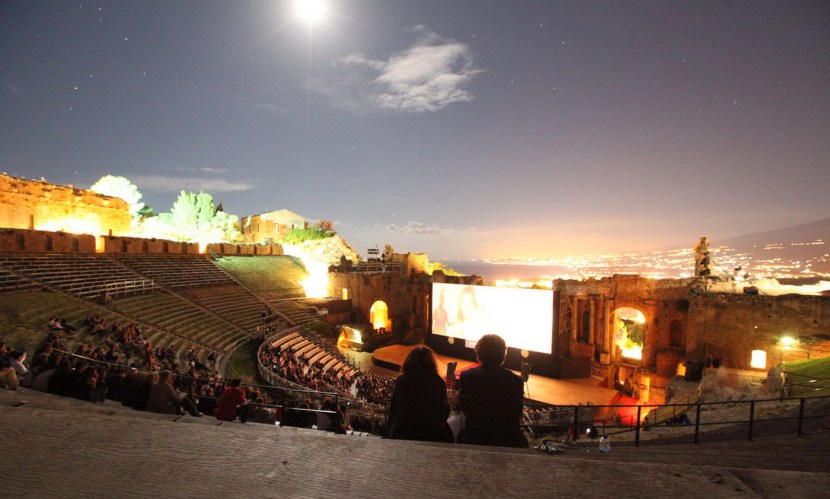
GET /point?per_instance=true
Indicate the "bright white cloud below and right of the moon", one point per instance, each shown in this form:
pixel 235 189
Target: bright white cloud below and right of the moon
pixel 429 75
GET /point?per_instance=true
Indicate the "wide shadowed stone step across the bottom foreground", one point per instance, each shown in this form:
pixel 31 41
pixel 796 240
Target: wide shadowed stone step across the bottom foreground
pixel 57 446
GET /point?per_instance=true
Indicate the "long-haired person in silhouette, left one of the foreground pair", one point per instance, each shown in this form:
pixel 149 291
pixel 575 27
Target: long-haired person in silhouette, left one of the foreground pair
pixel 419 407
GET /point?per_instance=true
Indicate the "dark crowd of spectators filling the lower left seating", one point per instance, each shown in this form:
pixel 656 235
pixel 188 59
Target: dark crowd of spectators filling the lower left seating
pixel 154 382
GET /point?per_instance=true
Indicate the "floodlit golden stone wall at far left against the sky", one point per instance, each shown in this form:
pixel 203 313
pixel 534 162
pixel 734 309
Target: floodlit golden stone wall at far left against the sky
pixel 33 204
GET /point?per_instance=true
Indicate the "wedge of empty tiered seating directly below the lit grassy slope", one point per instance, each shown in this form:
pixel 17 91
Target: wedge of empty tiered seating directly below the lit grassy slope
pixel 231 302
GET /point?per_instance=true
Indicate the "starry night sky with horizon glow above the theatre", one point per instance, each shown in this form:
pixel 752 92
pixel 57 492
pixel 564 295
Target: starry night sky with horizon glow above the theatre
pixel 461 129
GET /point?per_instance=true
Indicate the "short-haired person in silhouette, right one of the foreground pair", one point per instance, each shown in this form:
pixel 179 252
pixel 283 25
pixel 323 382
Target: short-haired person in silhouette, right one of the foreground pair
pixel 491 398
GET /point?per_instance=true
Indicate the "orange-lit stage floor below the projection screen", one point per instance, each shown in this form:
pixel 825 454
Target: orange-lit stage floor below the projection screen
pixel 540 388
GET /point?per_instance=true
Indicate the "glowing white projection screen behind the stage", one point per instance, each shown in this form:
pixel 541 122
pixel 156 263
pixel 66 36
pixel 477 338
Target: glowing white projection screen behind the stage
pixel 523 317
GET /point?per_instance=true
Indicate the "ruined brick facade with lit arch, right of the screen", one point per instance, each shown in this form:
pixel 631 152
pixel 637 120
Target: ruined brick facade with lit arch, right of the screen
pixel 684 322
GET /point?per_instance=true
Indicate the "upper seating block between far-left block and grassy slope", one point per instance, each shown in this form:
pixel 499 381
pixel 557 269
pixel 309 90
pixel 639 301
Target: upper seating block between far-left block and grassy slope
pixel 178 271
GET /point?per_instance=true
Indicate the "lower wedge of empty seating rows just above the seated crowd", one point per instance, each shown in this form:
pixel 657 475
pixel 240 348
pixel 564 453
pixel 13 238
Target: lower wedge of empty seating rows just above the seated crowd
pixel 173 314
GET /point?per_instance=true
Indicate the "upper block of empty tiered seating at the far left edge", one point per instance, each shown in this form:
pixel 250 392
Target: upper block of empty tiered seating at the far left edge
pixel 83 275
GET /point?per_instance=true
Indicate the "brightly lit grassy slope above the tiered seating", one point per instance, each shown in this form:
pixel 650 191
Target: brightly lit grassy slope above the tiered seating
pixel 268 275
